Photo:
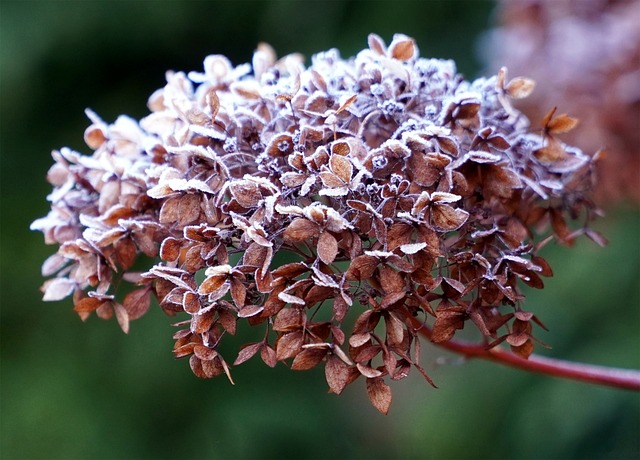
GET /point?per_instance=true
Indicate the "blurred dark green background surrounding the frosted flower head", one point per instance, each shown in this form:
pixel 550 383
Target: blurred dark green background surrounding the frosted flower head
pixel 86 391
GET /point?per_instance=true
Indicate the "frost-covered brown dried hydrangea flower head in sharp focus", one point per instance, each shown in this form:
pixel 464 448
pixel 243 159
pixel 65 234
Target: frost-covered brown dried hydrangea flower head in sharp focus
pixel 332 206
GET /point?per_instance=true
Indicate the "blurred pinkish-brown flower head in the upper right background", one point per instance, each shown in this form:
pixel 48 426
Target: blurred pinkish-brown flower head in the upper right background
pixel 586 56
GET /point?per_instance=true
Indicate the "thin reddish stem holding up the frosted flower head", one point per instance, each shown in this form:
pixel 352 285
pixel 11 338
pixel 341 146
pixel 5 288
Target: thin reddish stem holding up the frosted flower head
pixel 601 375
